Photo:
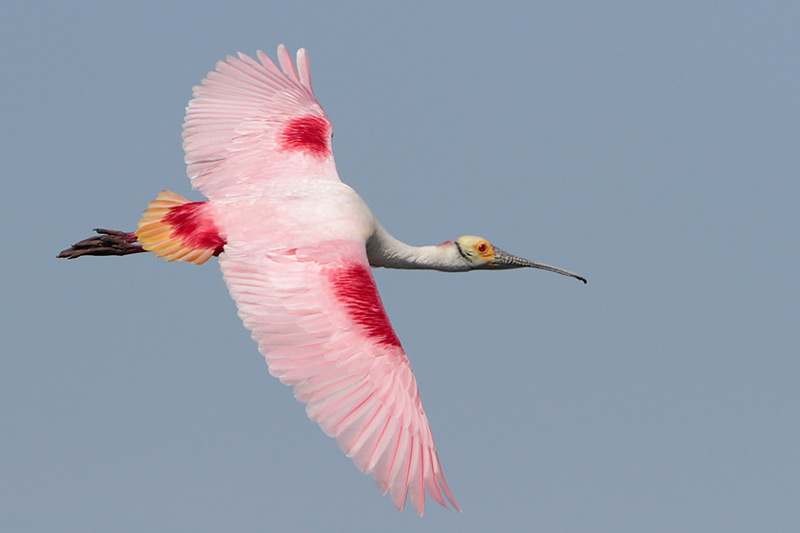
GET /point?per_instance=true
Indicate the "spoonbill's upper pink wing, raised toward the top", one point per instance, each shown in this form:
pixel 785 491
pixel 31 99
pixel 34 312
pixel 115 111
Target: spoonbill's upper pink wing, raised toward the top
pixel 250 126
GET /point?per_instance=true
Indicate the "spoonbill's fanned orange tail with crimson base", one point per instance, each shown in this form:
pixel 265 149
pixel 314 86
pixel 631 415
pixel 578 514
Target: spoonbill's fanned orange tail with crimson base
pixel 177 229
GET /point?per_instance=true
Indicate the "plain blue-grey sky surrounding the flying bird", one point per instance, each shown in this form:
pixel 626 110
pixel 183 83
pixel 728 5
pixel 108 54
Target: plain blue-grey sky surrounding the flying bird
pixel 653 148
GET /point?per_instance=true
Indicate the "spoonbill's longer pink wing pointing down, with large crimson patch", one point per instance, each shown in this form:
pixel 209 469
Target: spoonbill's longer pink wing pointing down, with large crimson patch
pixel 319 321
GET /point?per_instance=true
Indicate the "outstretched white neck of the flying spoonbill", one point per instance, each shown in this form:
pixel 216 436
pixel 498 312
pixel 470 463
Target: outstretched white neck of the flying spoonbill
pixel 383 250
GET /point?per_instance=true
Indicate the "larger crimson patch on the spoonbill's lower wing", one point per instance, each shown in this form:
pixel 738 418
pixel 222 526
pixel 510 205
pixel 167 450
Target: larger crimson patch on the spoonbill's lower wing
pixel 356 290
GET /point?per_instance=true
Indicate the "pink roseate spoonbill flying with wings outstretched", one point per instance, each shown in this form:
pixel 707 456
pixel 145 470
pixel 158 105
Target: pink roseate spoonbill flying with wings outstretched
pixel 295 245
